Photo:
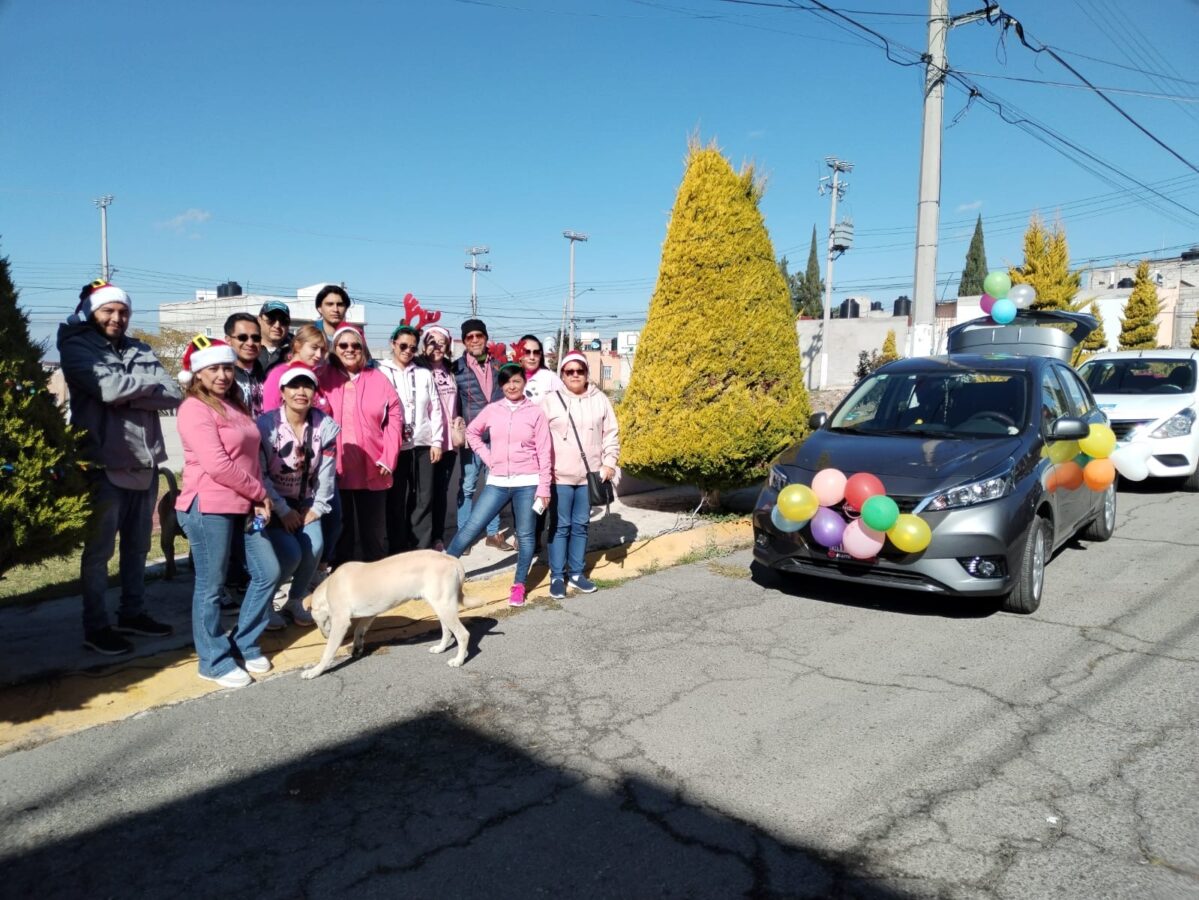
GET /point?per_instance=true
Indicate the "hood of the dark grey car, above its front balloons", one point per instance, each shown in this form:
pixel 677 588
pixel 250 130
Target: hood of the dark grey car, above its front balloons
pixel 908 467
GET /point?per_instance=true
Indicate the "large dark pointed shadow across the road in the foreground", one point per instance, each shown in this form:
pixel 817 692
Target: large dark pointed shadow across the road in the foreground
pixel 431 807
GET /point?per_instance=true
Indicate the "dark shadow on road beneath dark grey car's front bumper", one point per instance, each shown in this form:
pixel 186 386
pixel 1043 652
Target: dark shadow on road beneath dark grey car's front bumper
pixel 846 594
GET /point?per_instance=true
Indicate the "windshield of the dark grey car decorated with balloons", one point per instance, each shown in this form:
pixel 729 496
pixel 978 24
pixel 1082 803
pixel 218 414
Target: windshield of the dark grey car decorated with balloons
pixel 941 404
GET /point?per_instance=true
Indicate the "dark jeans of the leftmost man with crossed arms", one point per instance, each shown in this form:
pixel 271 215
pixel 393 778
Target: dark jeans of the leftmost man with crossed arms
pixel 129 514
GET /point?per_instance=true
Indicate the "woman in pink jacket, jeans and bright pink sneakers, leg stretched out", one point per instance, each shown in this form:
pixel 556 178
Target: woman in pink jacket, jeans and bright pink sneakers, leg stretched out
pixel 519 463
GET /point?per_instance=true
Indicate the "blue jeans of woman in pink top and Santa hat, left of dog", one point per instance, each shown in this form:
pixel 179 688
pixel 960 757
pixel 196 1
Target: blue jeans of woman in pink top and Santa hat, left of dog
pixel 212 536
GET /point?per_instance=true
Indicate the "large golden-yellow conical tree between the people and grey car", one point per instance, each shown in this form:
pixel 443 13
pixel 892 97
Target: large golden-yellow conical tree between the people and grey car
pixel 701 409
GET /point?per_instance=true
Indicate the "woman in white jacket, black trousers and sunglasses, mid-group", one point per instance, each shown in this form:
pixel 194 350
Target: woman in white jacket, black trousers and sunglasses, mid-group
pixel 411 500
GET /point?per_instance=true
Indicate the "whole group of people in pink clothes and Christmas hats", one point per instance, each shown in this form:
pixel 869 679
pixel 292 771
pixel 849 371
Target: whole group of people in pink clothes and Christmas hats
pixel 302 452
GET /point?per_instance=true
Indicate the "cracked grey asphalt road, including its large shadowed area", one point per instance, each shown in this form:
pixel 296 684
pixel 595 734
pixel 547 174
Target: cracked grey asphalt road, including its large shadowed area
pixel 692 734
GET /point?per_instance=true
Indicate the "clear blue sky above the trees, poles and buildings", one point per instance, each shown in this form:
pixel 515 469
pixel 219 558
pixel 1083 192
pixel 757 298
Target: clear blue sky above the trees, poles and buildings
pixel 285 144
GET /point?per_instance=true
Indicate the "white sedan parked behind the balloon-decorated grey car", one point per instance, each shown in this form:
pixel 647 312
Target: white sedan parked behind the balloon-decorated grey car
pixel 1150 397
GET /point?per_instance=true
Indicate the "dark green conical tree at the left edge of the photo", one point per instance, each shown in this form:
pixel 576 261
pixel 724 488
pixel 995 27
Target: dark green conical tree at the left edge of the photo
pixel 44 494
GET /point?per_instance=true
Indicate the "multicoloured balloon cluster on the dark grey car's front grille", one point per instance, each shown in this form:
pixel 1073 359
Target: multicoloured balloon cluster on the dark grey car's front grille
pixel 872 516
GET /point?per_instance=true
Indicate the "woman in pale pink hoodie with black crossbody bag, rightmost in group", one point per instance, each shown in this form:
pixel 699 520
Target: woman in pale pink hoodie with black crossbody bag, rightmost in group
pixel 586 436
